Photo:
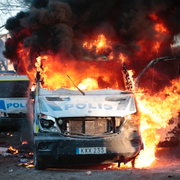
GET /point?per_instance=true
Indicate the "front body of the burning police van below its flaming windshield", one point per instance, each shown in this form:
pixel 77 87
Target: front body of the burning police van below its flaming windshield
pixel 74 127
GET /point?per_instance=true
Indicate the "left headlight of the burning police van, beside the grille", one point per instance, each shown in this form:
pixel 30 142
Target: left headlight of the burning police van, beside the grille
pixel 47 123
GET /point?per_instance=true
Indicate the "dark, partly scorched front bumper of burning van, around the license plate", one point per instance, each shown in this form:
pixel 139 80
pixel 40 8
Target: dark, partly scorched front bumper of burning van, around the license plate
pixel 56 150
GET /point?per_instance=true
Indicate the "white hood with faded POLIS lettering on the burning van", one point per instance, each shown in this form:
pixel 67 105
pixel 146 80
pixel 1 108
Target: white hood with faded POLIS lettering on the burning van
pixel 100 103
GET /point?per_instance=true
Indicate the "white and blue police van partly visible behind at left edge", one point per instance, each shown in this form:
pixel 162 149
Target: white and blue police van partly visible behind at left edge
pixel 13 98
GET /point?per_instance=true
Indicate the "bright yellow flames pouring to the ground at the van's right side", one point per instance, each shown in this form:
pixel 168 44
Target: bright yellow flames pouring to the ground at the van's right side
pixel 154 113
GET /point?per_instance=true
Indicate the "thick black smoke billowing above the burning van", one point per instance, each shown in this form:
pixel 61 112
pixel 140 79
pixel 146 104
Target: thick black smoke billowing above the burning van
pixel 61 26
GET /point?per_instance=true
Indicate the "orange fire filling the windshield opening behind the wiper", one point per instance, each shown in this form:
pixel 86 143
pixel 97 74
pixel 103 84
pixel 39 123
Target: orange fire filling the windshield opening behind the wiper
pixel 54 73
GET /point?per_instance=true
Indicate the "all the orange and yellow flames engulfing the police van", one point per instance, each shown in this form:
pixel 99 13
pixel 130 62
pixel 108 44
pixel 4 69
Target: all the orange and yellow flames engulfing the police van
pixel 154 111
